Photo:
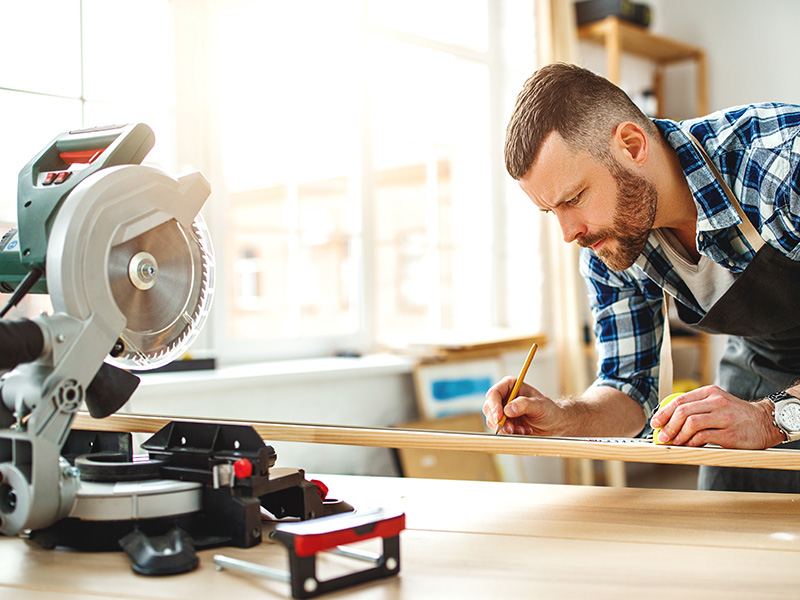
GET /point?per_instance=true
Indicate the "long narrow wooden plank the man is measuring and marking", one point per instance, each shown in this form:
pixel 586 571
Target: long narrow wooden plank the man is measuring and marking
pixel 626 451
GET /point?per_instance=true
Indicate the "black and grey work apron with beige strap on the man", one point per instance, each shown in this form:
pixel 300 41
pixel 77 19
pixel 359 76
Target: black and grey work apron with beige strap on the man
pixel 761 314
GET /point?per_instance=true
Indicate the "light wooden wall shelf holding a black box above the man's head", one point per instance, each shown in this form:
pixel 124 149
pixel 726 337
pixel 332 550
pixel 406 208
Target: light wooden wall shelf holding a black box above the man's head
pixel 620 37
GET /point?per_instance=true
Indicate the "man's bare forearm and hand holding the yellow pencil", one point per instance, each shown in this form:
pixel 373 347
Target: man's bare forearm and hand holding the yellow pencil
pixel 601 411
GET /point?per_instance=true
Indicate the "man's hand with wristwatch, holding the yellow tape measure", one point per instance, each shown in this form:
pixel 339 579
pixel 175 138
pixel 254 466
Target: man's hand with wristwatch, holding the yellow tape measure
pixel 710 415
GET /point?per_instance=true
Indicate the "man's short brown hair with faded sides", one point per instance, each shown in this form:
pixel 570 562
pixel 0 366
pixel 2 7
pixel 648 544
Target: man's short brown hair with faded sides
pixel 584 108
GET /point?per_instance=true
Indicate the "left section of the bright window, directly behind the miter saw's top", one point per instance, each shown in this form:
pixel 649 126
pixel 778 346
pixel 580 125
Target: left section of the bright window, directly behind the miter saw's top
pixel 79 63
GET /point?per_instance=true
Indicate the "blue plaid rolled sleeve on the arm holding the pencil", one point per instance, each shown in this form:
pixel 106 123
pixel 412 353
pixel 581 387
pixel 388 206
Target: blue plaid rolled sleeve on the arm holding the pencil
pixel 629 322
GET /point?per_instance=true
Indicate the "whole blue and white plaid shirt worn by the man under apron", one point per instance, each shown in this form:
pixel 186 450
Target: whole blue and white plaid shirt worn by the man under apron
pixel 757 150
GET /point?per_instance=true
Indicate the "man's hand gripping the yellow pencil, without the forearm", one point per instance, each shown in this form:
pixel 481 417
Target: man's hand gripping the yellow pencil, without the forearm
pixel 530 413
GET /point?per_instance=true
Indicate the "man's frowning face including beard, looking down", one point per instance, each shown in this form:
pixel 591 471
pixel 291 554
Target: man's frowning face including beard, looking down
pixel 610 211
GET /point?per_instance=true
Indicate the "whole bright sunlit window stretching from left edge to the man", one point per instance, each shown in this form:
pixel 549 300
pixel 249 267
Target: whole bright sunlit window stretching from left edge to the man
pixel 353 147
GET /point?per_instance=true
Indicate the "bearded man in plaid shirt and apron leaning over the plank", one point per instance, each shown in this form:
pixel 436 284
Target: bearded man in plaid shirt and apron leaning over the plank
pixel 704 211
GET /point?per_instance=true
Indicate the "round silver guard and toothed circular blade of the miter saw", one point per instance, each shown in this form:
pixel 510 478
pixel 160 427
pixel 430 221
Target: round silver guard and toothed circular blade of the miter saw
pixel 130 255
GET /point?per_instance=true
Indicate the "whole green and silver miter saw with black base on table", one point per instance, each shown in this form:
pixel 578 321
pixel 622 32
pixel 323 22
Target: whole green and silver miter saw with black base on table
pixel 126 258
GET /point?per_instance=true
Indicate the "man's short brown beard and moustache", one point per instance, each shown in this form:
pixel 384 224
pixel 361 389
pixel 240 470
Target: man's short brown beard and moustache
pixel 635 213
